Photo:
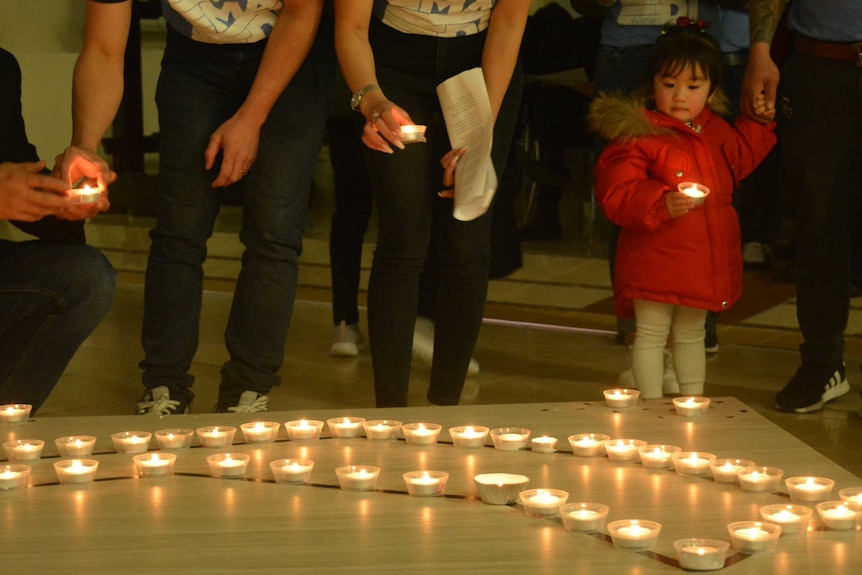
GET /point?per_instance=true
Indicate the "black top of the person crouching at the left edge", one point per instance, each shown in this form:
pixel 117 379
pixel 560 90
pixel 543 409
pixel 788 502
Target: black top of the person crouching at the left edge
pixel 14 147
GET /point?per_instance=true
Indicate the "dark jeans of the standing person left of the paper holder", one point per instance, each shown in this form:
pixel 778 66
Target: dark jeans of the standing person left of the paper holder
pixel 200 87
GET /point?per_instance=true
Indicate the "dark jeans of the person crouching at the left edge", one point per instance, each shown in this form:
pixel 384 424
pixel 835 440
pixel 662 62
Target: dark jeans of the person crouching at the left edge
pixel 52 296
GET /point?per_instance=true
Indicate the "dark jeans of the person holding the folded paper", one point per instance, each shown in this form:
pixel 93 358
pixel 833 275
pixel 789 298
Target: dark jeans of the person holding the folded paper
pixel 405 184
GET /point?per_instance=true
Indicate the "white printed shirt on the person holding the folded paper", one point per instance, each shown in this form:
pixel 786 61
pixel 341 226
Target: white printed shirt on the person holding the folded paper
pixel 443 18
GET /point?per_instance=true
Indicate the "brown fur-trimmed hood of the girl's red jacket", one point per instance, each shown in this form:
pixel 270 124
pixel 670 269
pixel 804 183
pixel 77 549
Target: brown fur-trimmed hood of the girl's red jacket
pixel 615 116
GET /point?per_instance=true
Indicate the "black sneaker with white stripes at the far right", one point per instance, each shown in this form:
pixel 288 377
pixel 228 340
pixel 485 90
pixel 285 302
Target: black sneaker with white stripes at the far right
pixel 811 387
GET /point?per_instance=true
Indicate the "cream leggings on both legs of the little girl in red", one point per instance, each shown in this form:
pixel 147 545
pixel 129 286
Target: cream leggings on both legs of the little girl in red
pixel 686 326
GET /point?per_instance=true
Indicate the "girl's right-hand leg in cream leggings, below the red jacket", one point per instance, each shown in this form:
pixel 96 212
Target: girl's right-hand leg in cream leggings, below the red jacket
pixel 689 356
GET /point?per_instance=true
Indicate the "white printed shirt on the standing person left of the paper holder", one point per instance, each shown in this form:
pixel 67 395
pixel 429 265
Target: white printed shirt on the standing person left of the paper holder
pixel 228 21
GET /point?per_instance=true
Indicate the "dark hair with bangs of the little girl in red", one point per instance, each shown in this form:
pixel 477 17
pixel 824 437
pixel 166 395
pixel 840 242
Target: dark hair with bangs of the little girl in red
pixel 684 45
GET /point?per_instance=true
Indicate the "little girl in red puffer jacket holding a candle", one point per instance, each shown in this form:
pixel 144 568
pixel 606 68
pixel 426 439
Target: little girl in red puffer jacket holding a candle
pixel 676 257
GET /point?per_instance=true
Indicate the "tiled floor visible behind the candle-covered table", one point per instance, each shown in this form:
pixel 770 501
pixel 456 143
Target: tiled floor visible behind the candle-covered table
pixel 548 336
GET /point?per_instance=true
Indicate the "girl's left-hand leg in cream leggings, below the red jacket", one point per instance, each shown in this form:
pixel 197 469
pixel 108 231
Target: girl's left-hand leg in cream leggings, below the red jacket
pixel 653 324
